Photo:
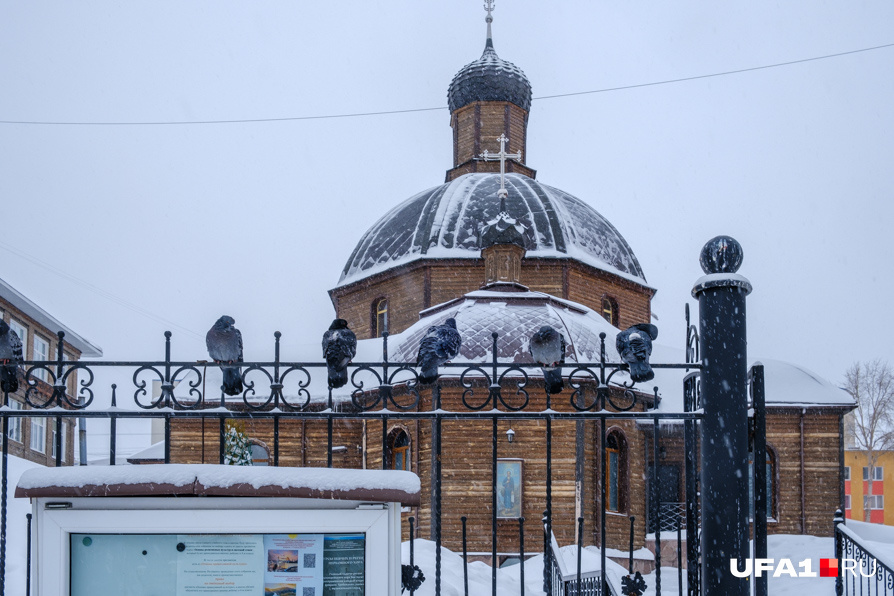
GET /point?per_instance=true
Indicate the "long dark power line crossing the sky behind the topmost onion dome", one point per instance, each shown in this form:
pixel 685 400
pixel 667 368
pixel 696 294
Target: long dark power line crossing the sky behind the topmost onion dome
pixel 415 110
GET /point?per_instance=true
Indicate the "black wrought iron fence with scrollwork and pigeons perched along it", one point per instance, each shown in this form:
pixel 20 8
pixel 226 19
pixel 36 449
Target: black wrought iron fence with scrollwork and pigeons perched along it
pixel 597 395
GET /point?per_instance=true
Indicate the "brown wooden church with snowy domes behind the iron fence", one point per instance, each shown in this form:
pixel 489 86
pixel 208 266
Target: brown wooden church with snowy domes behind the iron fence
pixel 504 254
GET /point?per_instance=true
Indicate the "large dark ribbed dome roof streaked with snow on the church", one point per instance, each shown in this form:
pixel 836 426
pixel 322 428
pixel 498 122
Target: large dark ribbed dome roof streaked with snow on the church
pixel 446 222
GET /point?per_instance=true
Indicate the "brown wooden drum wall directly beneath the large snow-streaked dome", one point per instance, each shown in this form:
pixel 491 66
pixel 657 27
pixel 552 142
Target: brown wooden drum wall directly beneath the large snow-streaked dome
pixel 426 283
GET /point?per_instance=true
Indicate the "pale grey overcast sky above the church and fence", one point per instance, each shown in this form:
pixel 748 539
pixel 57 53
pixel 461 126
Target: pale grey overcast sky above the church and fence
pixel 256 220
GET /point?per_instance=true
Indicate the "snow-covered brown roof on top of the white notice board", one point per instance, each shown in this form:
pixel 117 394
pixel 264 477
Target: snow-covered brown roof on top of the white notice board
pixel 217 480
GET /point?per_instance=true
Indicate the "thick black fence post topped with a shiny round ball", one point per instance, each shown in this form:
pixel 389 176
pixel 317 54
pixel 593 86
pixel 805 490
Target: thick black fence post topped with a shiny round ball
pixel 724 447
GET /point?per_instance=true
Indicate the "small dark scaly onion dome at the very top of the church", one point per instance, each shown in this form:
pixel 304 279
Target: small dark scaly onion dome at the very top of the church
pixel 489 78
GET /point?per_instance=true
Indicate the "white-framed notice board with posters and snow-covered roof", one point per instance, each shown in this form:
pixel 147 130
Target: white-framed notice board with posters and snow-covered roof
pixel 208 529
